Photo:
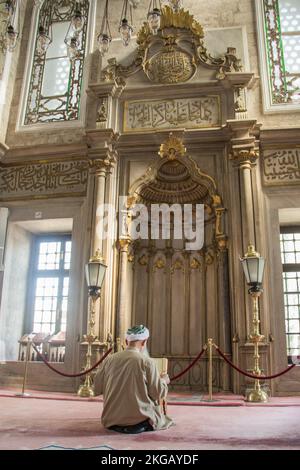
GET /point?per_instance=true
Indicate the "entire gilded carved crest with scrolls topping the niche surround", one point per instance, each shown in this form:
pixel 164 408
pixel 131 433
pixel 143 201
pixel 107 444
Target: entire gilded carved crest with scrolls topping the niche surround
pixel 172 55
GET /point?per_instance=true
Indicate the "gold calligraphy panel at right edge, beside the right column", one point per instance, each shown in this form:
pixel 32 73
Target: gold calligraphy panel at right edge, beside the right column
pixel 281 167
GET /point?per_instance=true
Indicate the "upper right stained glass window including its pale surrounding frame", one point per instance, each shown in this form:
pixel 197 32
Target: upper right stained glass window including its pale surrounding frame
pixel 279 44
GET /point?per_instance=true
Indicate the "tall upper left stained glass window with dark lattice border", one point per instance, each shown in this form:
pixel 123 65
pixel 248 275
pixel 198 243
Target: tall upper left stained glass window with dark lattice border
pixel 56 81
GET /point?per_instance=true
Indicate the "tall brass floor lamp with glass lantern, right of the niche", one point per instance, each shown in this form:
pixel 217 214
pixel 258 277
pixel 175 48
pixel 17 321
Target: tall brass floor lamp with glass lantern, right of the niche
pixel 253 266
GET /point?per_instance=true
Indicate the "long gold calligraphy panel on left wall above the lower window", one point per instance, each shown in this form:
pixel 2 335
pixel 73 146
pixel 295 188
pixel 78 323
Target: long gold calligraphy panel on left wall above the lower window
pixel 43 179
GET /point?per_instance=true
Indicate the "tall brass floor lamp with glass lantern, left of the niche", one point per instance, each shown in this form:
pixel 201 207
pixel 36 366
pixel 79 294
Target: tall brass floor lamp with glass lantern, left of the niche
pixel 95 272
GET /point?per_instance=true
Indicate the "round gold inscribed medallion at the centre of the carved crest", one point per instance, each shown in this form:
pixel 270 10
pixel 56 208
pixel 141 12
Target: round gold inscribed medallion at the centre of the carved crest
pixel 171 64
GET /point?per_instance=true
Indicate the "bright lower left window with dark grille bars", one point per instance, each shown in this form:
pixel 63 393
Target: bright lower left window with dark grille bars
pixel 51 284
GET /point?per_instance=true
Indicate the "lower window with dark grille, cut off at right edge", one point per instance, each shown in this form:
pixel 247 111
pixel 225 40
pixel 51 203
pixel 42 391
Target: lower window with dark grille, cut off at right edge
pixel 290 253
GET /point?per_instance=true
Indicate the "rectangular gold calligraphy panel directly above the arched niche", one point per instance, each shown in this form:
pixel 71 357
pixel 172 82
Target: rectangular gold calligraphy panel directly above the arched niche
pixel 201 112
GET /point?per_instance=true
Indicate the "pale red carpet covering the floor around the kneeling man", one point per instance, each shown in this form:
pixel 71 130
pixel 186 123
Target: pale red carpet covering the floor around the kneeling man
pixel 35 423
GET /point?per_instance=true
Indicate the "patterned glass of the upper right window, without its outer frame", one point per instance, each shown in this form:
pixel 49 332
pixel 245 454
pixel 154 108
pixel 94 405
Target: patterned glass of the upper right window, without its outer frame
pixel 282 29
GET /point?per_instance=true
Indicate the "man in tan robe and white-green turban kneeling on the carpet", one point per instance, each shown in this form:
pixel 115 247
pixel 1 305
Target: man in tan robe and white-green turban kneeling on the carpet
pixel 132 388
